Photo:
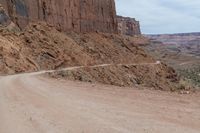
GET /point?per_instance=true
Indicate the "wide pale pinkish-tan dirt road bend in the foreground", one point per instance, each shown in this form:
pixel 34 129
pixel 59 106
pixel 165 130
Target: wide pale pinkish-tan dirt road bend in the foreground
pixel 30 103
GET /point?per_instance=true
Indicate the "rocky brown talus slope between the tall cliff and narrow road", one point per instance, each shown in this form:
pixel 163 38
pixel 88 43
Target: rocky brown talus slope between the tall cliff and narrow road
pixel 41 46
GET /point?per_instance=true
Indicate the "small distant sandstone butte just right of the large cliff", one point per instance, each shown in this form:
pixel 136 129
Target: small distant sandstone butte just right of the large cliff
pixel 128 26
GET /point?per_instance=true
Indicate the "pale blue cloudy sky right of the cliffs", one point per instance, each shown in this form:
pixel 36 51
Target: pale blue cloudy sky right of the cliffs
pixel 163 16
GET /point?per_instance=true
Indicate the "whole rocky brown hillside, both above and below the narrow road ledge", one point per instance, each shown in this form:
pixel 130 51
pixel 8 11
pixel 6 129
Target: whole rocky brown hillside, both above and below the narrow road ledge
pixel 42 47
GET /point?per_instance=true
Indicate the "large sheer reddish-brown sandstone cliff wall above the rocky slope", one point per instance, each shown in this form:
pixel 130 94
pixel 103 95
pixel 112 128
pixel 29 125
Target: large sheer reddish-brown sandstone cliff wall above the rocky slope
pixel 65 15
